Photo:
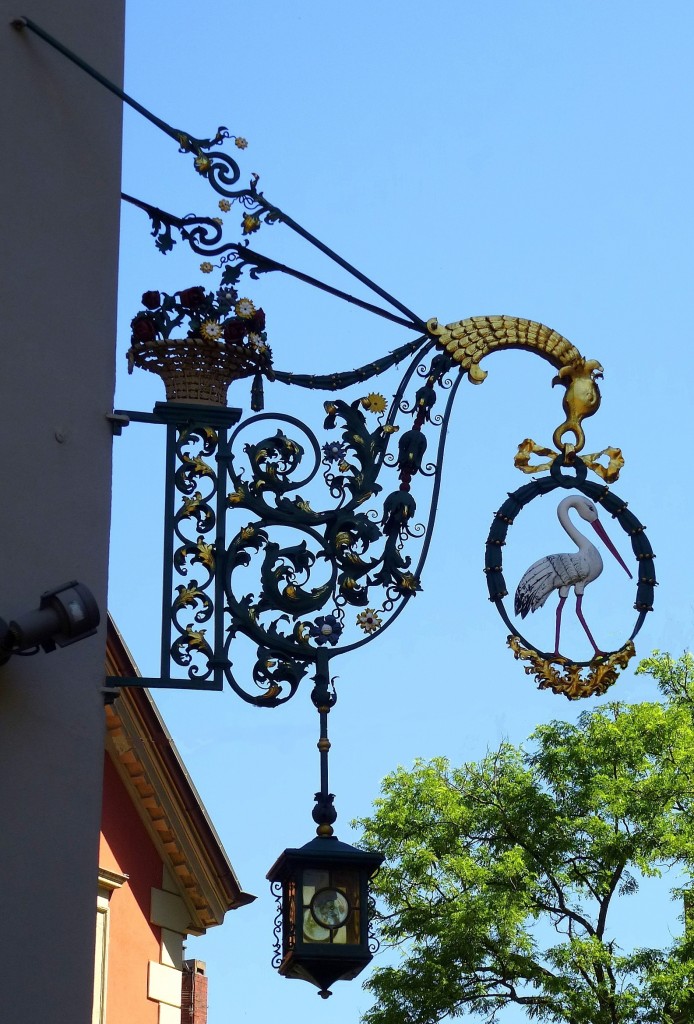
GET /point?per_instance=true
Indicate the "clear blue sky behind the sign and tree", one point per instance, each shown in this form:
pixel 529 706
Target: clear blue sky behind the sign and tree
pixel 528 158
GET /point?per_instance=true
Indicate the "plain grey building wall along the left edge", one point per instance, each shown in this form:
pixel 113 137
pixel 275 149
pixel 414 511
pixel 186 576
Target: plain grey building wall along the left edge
pixel 60 200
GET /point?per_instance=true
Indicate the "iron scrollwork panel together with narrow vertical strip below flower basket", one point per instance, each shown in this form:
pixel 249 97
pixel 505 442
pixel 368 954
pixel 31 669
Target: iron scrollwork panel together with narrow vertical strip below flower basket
pixel 324 581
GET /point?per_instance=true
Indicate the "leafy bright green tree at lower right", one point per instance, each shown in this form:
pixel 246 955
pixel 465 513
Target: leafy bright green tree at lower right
pixel 501 876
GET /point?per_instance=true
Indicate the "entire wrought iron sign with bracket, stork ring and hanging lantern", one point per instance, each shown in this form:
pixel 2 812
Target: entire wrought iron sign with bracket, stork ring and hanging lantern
pixel 308 547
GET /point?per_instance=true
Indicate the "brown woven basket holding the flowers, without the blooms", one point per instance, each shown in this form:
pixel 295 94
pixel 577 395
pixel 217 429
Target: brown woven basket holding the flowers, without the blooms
pixel 193 369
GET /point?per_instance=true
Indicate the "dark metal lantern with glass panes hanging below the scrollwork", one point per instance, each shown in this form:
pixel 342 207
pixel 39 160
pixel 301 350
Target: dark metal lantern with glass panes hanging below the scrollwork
pixel 323 895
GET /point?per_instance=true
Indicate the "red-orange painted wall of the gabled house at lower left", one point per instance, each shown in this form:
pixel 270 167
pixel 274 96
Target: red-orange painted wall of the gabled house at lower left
pixel 126 847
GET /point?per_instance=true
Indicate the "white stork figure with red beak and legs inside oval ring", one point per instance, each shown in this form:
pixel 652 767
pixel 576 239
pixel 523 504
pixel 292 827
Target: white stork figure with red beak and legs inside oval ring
pixel 561 573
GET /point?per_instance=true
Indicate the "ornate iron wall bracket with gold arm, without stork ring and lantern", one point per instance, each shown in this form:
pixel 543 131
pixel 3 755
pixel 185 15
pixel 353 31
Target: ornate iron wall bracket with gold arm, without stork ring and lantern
pixel 293 623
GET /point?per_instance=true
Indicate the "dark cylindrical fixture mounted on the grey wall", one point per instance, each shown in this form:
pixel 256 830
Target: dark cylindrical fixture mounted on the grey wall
pixel 66 615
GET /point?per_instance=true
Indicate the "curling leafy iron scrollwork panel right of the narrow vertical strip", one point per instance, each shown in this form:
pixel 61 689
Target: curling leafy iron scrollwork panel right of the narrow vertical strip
pixel 319 572
